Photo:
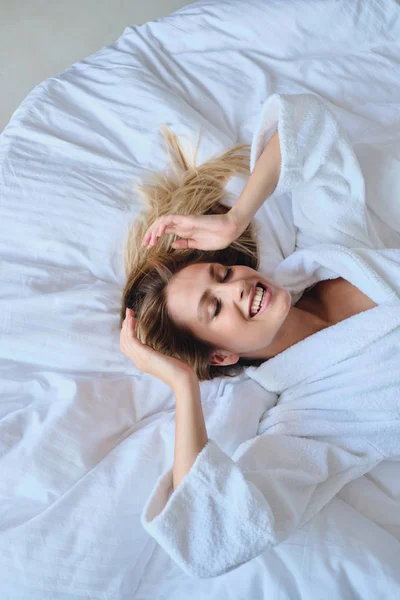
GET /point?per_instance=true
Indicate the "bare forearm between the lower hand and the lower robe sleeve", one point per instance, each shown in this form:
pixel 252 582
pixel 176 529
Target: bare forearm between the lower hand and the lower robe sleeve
pixel 190 429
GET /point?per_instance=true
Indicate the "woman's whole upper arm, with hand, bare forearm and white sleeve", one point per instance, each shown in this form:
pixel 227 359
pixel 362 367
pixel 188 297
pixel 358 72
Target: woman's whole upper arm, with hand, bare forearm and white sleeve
pixel 298 147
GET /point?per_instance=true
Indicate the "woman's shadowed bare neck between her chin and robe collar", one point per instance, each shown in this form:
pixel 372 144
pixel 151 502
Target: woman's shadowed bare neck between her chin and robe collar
pixel 299 324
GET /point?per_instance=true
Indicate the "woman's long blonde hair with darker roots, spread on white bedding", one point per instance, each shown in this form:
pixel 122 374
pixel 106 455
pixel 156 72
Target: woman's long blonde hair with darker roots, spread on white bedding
pixel 190 190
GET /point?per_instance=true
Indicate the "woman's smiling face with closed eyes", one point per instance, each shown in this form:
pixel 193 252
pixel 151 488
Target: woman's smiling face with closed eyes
pixel 223 317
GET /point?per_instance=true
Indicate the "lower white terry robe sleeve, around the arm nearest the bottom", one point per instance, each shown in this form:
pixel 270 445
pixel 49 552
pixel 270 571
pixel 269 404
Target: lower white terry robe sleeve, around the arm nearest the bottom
pixel 227 511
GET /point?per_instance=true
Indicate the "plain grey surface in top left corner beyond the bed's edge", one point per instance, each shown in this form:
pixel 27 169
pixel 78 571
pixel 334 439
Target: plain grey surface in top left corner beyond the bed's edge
pixel 39 38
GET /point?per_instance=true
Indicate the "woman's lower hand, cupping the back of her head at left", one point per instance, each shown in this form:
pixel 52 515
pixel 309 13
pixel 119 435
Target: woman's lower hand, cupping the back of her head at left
pixel 170 370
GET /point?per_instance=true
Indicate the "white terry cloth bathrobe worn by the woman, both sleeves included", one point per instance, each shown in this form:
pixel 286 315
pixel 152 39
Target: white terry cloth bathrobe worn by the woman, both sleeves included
pixel 335 408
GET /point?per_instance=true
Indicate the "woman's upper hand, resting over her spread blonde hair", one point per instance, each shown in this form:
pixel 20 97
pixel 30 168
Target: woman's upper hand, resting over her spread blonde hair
pixel 203 232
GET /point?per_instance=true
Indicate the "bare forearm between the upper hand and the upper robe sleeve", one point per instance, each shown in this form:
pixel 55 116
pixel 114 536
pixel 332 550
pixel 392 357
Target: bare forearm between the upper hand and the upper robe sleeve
pixel 261 184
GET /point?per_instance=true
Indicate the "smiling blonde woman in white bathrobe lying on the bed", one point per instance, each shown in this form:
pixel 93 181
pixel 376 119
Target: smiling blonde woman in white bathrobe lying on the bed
pixel 334 415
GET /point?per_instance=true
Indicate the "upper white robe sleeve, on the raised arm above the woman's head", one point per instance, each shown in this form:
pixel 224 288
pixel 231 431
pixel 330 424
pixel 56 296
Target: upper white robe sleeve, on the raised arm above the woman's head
pixel 320 169
